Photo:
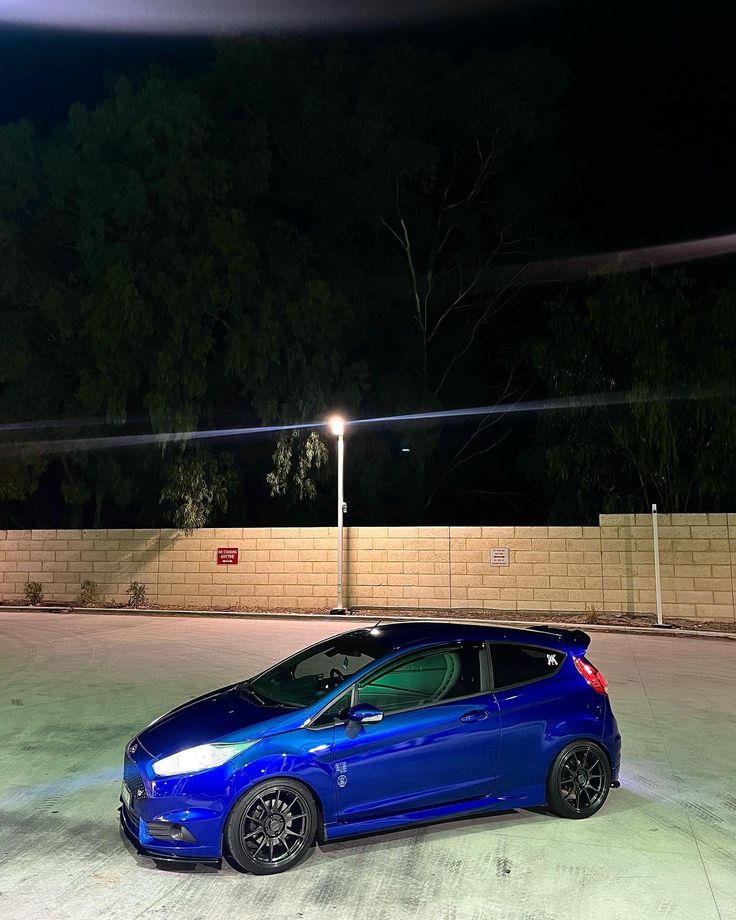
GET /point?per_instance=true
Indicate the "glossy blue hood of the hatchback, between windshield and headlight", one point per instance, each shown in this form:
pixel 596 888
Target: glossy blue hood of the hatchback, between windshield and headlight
pixel 221 715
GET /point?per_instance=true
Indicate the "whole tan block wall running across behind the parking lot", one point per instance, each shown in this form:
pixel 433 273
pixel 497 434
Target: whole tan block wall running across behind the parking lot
pixel 610 567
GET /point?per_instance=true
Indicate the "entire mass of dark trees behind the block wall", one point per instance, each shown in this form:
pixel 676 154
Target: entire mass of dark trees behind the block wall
pixel 292 231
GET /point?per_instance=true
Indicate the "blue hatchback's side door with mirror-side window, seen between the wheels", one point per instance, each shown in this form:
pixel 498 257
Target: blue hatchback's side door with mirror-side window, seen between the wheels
pixel 438 741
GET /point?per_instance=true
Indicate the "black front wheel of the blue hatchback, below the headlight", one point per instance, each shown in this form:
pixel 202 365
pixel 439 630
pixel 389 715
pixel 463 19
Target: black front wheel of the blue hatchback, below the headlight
pixel 271 828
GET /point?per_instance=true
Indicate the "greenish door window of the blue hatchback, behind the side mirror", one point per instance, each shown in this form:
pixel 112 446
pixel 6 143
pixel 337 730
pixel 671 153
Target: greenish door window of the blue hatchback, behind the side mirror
pixel 425 679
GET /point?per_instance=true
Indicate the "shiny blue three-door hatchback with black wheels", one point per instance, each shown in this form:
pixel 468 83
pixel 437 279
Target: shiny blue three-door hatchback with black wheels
pixel 374 729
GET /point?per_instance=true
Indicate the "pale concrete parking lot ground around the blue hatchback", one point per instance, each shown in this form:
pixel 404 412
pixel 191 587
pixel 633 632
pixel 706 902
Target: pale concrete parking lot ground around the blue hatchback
pixel 74 688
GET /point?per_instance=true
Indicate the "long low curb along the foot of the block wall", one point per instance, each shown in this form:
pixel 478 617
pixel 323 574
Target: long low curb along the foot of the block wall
pixel 266 615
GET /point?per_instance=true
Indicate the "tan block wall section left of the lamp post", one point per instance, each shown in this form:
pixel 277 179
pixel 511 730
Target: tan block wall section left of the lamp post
pixel 279 567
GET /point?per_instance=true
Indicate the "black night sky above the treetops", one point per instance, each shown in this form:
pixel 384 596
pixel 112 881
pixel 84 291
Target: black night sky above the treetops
pixel 647 112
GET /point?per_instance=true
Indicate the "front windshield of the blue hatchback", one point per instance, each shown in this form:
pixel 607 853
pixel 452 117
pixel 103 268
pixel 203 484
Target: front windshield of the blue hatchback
pixel 307 676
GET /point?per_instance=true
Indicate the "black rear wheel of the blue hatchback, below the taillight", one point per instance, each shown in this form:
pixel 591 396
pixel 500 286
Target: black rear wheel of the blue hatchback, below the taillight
pixel 579 780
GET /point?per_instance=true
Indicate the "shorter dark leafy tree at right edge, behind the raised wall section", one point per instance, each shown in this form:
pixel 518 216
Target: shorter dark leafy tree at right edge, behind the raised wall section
pixel 671 346
